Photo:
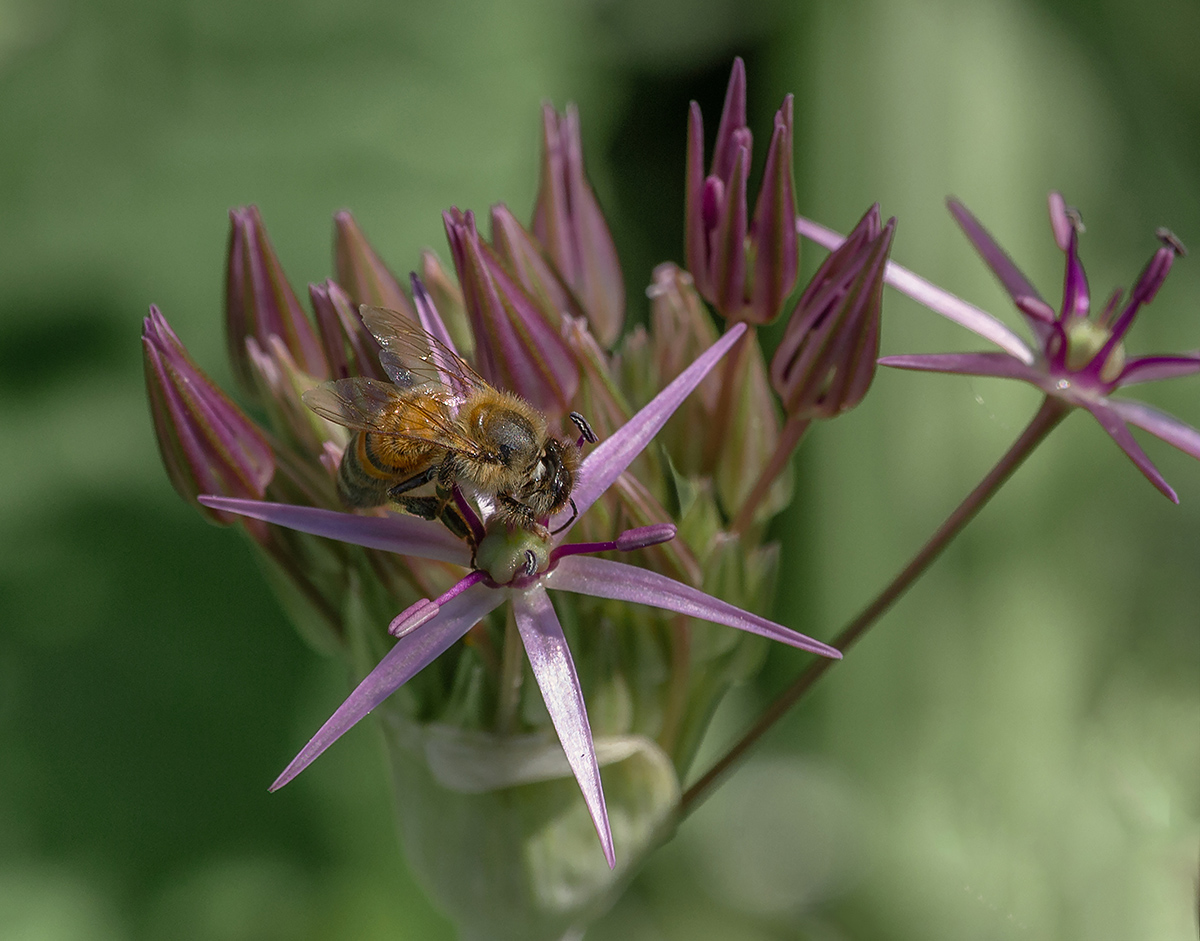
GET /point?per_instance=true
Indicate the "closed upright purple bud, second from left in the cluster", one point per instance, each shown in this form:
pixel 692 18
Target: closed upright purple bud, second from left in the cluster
pixel 261 303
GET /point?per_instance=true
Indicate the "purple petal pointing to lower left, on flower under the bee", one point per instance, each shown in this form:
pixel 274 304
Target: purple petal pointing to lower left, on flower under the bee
pixel 411 655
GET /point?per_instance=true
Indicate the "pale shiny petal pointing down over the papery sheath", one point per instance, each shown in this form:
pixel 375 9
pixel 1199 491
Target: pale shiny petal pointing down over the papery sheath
pixel 560 684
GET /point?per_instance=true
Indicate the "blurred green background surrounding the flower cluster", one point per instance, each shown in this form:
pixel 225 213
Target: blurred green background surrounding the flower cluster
pixel 1016 753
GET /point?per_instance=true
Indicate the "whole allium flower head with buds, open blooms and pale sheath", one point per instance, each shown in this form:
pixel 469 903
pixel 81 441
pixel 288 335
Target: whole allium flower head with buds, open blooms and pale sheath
pixel 520 660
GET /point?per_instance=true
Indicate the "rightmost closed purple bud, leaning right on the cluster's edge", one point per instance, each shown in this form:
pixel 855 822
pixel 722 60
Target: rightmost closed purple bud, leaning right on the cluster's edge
pixel 826 361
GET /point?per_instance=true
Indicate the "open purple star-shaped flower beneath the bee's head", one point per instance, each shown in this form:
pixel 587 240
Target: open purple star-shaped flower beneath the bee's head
pixel 430 627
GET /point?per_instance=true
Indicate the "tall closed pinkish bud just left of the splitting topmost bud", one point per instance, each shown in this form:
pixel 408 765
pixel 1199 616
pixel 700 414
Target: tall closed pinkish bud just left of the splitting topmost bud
pixel 572 229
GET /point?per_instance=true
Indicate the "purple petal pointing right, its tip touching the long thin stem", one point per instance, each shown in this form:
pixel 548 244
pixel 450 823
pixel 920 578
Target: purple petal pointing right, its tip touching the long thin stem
pixel 616 580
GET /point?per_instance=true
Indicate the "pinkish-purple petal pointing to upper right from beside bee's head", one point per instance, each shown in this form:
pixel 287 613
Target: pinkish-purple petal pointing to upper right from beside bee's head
pixel 607 463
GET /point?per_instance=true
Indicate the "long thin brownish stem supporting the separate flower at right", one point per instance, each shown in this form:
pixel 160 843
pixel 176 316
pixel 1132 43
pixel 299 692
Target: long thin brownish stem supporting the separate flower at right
pixel 1053 412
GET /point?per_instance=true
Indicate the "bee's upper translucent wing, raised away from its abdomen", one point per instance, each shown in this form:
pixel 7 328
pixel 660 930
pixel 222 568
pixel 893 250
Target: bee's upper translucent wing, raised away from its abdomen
pixel 412 357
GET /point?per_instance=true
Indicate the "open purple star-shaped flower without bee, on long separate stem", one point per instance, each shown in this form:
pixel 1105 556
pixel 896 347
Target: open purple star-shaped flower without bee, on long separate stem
pixel 1078 358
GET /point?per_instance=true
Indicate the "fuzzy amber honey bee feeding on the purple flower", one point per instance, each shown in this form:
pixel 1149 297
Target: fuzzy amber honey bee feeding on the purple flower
pixel 441 423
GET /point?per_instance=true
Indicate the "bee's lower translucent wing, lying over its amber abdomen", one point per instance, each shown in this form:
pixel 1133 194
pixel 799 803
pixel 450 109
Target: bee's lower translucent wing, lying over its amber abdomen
pixel 381 409
